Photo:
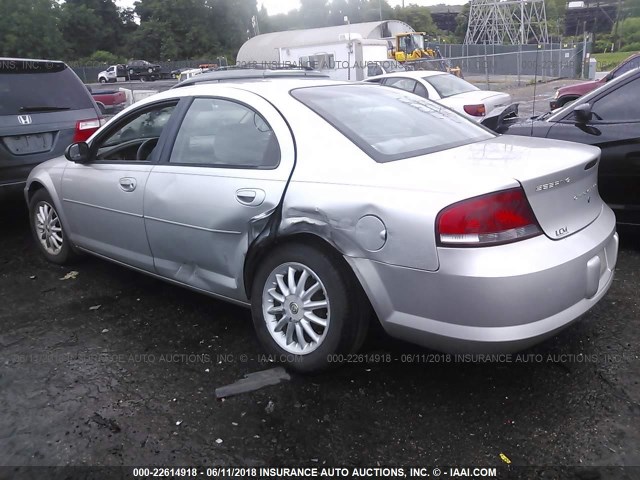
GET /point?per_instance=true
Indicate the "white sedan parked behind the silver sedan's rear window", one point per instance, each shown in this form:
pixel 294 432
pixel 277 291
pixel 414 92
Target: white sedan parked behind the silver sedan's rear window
pixel 449 90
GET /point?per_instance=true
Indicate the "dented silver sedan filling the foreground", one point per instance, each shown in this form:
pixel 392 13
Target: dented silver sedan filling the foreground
pixel 345 199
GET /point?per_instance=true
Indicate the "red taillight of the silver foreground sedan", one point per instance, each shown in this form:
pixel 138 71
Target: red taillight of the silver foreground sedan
pixel 500 217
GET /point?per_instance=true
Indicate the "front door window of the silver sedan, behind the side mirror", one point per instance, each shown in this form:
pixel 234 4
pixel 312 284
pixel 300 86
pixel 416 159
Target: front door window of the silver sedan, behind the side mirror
pixel 137 137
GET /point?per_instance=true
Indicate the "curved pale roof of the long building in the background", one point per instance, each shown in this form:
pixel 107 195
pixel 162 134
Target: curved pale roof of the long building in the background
pixel 264 48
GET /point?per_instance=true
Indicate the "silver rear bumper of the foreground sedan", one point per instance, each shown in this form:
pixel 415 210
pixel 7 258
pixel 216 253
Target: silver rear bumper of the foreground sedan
pixel 495 299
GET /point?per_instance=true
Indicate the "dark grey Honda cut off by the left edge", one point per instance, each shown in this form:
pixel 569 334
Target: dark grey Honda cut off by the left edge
pixel 43 108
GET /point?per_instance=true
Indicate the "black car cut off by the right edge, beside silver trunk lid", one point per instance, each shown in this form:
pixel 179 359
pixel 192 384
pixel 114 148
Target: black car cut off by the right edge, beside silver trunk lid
pixel 607 118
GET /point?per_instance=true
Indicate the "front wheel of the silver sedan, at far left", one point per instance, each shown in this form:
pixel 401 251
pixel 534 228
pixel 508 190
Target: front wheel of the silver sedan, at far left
pixel 47 229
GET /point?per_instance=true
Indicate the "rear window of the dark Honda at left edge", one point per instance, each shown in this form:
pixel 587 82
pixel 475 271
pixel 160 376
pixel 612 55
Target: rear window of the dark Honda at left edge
pixel 37 87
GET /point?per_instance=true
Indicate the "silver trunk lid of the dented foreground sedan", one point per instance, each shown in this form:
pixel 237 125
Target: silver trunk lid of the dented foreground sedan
pixel 559 178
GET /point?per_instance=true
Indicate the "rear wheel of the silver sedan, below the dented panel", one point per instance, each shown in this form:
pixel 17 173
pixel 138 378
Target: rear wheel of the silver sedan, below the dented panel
pixel 308 308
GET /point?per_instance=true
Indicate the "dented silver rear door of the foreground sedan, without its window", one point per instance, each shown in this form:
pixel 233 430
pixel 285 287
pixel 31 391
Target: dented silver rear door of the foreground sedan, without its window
pixel 191 211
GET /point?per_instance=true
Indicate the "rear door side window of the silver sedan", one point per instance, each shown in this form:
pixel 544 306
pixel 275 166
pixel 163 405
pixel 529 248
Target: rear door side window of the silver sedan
pixel 223 133
